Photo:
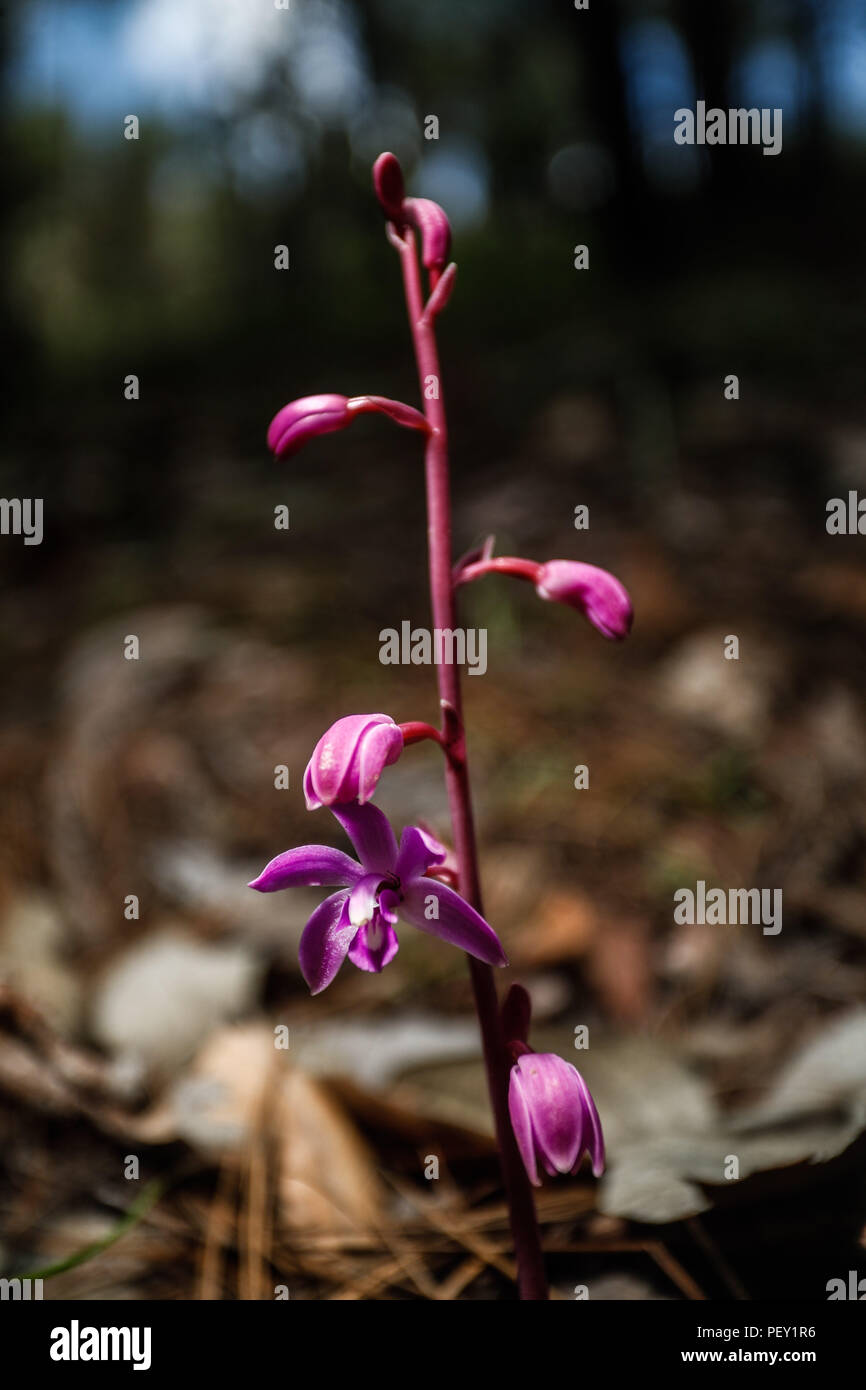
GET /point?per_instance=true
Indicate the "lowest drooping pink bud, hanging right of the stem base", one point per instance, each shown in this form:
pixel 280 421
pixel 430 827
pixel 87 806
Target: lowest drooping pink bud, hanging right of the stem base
pixel 554 1117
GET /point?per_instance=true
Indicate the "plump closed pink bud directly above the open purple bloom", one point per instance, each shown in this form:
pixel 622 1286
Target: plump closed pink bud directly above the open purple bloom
pixel 350 760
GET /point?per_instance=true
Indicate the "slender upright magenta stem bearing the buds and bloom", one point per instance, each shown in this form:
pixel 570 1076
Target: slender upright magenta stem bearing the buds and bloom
pixel 532 1279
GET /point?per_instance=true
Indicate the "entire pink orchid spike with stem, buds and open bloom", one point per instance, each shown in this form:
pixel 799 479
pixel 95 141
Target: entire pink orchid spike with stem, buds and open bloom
pixel 543 1110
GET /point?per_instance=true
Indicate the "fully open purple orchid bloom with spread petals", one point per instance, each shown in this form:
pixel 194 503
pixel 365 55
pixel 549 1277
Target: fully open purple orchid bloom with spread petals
pixel 386 883
